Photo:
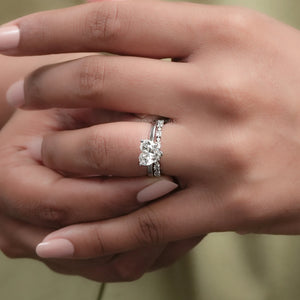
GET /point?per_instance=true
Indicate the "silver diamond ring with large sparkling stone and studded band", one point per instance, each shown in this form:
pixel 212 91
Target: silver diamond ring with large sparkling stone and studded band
pixel 151 153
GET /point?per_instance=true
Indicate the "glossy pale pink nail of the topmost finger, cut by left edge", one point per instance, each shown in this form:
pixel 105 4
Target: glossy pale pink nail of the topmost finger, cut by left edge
pixel 9 37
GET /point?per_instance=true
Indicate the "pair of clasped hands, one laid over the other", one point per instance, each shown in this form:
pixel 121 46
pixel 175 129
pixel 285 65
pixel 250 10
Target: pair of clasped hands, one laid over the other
pixel 232 94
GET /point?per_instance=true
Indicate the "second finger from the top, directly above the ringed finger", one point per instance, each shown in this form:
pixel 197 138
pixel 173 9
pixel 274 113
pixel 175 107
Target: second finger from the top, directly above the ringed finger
pixel 127 84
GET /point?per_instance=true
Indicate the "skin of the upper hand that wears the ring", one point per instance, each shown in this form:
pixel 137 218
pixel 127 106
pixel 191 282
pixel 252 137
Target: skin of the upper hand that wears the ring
pixel 231 91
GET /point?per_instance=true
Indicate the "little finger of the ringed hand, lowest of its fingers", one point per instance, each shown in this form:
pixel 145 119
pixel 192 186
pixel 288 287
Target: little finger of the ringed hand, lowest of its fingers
pixel 170 219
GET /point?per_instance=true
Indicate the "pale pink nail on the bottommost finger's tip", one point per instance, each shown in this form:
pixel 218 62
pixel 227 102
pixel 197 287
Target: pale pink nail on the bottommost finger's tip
pixel 57 248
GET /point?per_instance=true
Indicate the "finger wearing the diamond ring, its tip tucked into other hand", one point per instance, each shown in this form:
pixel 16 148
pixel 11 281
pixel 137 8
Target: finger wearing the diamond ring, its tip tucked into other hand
pixel 112 149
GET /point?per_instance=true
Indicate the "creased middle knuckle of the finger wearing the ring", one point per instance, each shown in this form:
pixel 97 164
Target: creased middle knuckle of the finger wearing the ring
pixel 97 152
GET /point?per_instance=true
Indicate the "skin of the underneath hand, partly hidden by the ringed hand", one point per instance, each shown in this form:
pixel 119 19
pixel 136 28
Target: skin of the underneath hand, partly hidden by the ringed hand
pixel 25 219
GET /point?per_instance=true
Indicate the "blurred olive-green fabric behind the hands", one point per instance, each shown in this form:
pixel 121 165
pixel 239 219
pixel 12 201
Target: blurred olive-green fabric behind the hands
pixel 223 267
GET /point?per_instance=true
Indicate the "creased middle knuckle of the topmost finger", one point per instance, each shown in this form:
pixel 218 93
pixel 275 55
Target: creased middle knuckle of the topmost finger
pixel 102 24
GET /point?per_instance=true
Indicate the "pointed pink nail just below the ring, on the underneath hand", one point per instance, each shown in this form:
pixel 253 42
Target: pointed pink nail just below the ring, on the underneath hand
pixel 156 190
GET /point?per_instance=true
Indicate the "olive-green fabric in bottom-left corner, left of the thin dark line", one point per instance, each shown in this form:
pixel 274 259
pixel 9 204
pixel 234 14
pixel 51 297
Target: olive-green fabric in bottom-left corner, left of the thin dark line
pixel 31 280
